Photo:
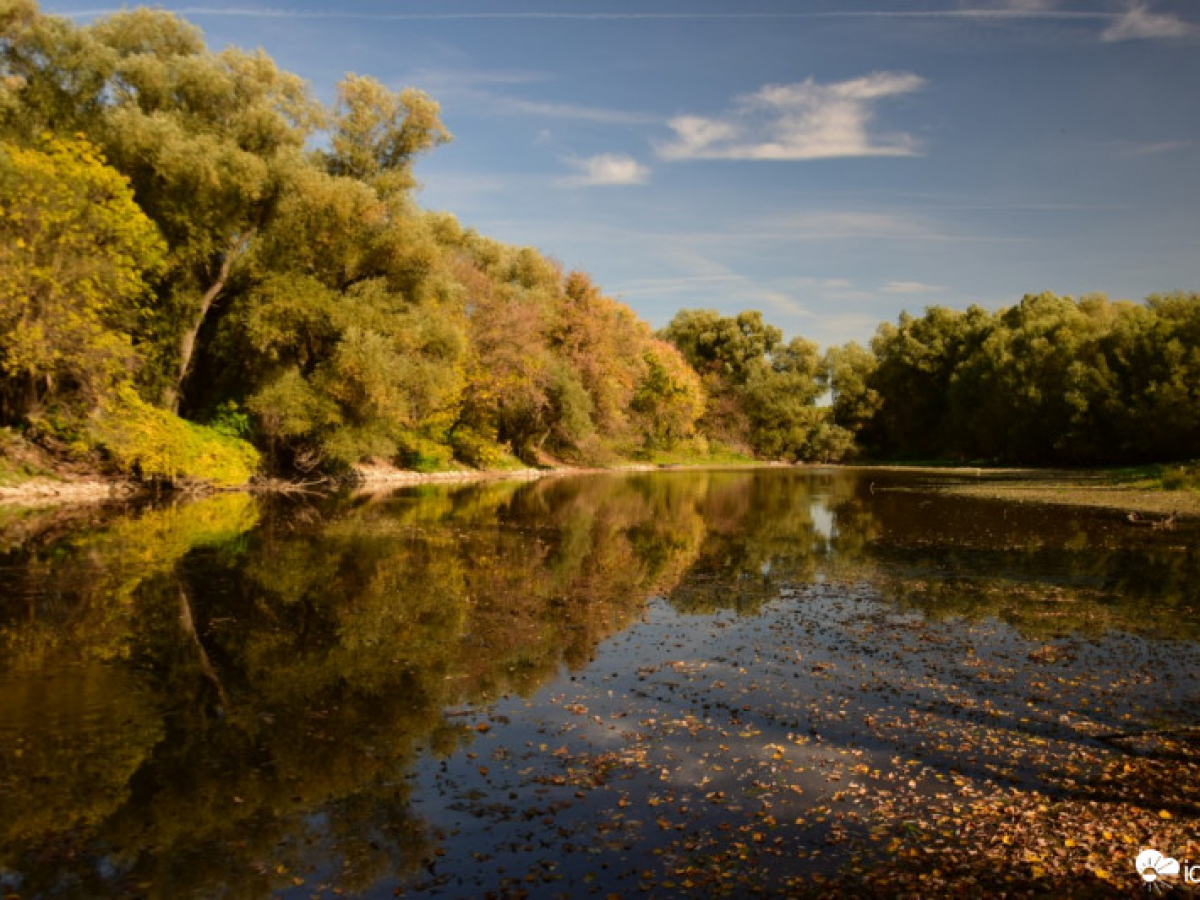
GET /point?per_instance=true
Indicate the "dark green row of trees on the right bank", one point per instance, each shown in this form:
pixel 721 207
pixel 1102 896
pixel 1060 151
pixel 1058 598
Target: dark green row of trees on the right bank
pixel 1049 381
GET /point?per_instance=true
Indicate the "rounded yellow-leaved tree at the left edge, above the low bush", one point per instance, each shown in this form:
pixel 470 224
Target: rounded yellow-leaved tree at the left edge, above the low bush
pixel 75 256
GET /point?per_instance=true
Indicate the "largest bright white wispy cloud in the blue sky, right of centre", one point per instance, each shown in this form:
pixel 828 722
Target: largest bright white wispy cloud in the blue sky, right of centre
pixel 797 122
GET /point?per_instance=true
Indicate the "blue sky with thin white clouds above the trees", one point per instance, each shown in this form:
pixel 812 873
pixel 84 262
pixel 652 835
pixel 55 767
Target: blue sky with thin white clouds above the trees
pixel 827 163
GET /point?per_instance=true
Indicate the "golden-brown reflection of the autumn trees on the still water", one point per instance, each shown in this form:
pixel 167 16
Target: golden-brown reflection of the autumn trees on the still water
pixel 229 697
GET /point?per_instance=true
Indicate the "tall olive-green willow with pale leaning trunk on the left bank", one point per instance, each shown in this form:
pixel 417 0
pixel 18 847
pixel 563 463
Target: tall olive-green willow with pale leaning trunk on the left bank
pixel 212 142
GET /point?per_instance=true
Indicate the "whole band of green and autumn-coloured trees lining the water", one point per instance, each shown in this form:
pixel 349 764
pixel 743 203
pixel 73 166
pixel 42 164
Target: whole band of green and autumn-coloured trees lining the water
pixel 208 274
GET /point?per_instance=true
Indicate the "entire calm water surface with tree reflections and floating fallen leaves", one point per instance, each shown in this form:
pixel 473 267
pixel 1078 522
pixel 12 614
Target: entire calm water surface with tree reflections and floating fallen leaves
pixel 659 685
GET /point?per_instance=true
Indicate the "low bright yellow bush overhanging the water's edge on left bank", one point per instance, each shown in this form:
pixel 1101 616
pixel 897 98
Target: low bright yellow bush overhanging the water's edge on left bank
pixel 157 446
